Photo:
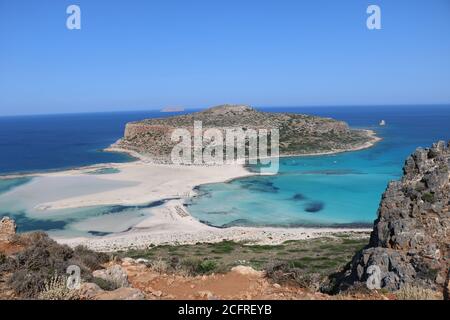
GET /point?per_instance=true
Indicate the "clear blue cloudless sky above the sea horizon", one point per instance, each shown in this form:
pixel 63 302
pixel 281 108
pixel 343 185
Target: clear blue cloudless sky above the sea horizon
pixel 132 55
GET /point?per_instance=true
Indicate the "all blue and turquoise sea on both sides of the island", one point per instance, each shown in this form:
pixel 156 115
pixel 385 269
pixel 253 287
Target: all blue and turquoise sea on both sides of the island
pixel 342 189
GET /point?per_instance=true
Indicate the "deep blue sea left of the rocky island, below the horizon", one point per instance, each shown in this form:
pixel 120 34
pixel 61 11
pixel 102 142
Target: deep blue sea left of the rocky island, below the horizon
pixel 47 142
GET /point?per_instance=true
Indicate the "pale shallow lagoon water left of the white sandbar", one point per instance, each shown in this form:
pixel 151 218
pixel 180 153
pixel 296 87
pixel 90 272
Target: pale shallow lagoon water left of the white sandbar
pixel 19 199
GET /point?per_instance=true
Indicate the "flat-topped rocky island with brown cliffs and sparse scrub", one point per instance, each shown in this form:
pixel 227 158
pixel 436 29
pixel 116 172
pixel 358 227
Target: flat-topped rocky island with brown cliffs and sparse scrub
pixel 299 134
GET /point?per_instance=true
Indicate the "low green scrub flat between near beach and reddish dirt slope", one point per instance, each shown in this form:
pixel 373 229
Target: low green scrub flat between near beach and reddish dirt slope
pixel 304 262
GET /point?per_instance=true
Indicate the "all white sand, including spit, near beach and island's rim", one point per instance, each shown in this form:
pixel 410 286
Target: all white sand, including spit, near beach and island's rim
pixel 169 223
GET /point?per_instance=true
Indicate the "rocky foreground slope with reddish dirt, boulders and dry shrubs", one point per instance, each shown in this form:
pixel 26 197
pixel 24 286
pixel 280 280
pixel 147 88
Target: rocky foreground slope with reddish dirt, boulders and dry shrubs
pixel 32 266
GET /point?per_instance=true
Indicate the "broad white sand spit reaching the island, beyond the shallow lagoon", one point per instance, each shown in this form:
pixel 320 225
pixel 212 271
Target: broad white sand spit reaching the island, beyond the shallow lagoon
pixel 147 182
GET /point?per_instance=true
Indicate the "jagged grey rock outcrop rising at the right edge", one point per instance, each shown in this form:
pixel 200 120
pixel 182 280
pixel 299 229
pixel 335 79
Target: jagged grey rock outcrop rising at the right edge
pixel 410 242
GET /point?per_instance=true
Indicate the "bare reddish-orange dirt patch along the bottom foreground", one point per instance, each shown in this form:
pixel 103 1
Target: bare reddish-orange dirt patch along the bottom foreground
pixel 240 283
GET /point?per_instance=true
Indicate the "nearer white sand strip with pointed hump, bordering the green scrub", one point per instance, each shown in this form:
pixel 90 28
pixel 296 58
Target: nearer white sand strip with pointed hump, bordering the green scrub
pixel 171 224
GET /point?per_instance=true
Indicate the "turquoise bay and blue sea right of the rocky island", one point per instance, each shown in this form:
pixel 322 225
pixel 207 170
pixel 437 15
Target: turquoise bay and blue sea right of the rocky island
pixel 343 189
